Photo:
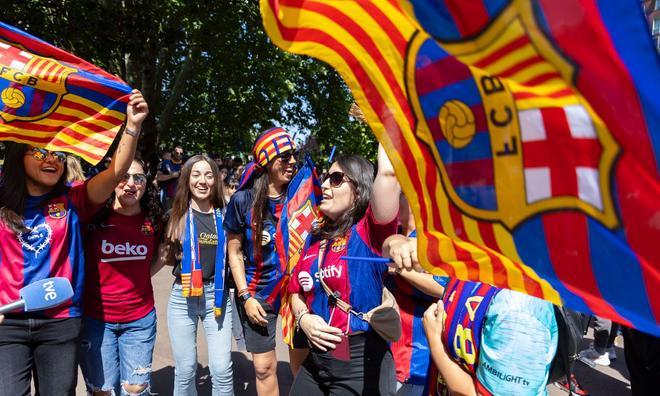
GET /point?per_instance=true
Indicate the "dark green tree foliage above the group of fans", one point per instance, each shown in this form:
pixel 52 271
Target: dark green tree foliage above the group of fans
pixel 212 77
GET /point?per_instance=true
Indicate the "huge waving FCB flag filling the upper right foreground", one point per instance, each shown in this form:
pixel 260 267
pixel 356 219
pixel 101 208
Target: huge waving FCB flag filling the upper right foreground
pixel 525 135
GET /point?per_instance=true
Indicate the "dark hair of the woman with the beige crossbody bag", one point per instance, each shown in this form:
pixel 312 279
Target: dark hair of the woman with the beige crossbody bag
pixel 360 173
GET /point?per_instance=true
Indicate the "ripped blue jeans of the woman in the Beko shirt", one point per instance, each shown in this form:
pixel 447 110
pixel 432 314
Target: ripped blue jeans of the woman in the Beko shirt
pixel 114 354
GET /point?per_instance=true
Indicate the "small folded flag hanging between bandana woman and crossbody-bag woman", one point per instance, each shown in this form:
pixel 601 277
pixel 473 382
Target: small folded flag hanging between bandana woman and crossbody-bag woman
pixel 299 214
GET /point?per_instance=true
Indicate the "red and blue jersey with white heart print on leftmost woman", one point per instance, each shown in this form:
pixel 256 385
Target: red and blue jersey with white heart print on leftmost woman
pixel 52 247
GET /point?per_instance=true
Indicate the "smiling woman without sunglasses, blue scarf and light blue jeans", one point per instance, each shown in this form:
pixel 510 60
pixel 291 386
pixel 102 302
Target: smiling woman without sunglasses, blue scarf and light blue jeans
pixel 195 245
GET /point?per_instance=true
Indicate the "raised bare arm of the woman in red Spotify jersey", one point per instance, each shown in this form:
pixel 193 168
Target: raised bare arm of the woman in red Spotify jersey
pixel 386 190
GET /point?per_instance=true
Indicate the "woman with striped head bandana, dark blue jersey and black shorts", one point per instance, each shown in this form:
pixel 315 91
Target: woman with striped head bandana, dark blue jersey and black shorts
pixel 252 217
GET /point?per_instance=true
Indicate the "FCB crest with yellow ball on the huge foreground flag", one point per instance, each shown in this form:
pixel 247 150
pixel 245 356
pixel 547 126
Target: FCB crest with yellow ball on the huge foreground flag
pixel 489 135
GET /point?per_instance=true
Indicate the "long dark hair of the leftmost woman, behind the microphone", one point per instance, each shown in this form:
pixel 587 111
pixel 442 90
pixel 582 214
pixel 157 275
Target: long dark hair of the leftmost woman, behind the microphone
pixel 13 187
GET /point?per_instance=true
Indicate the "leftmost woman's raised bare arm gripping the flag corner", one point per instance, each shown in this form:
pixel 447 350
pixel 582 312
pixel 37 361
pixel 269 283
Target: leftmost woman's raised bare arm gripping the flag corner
pixel 100 187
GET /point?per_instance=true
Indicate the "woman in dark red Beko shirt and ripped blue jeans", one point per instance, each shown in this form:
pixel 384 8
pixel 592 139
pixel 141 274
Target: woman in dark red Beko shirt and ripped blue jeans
pixel 119 322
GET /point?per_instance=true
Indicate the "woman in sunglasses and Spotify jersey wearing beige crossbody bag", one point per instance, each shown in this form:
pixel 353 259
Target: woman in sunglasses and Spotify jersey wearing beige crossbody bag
pixel 347 356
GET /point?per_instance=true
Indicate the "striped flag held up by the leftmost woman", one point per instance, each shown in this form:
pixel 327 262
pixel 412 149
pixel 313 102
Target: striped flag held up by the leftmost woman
pixel 52 99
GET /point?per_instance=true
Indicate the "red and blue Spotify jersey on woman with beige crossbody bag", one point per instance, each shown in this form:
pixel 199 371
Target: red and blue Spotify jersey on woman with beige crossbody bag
pixel 359 283
